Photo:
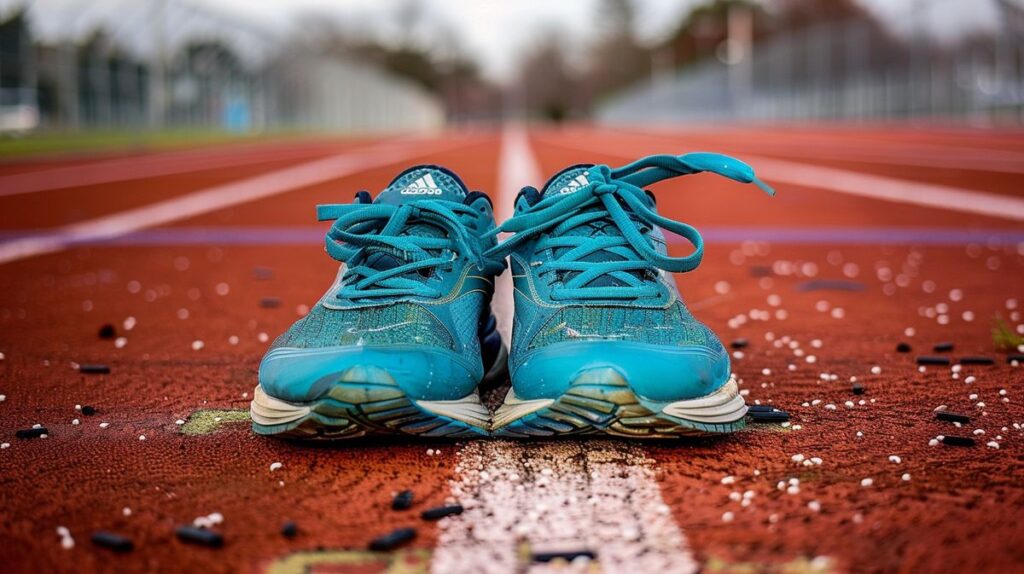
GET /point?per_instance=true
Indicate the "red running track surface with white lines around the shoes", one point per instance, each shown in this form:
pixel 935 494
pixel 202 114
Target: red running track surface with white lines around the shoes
pixel 918 233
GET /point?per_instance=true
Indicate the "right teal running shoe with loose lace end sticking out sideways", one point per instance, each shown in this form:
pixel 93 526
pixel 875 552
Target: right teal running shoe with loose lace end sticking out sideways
pixel 602 341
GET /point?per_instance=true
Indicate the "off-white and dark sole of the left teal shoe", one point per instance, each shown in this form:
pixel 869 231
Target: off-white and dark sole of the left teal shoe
pixel 366 402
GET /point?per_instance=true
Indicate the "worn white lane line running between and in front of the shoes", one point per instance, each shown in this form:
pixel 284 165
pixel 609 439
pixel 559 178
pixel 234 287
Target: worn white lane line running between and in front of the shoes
pixel 596 496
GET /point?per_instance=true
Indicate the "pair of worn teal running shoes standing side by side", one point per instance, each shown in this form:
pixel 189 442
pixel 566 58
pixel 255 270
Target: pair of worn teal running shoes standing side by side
pixel 405 340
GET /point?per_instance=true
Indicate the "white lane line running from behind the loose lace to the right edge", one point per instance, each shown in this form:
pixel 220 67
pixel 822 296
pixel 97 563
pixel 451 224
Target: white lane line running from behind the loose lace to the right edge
pixel 867 186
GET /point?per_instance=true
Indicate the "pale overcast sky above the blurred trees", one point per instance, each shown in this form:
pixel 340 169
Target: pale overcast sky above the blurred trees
pixel 493 31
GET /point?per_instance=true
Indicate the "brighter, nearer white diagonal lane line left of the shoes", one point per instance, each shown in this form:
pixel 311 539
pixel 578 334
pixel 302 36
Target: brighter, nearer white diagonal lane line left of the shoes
pixel 214 199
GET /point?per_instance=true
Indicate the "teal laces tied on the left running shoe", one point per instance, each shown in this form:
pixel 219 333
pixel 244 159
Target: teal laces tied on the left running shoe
pixel 364 232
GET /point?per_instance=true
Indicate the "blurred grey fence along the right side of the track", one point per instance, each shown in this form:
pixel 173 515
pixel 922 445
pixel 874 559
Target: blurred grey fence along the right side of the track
pixel 848 71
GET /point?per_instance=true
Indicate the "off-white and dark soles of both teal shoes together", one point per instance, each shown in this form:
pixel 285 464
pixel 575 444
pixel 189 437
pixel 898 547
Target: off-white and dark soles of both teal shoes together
pixel 366 403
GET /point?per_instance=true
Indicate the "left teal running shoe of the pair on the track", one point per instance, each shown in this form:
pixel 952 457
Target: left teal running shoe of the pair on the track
pixel 404 338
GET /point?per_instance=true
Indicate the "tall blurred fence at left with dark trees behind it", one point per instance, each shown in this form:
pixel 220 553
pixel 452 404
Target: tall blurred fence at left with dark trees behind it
pixel 174 65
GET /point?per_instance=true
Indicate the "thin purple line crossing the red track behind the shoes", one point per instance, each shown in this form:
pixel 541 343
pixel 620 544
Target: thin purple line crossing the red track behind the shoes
pixel 311 235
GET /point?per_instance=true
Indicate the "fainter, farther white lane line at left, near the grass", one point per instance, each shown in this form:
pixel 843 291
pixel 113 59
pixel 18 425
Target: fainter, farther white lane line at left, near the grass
pixel 130 169
